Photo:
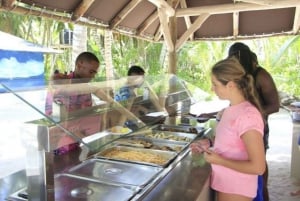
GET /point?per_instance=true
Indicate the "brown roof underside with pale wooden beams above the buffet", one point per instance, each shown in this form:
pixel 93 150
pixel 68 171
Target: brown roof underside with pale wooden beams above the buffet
pixel 172 21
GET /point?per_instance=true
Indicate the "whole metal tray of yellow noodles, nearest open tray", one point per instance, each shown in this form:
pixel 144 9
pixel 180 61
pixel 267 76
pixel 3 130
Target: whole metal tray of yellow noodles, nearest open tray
pixel 138 155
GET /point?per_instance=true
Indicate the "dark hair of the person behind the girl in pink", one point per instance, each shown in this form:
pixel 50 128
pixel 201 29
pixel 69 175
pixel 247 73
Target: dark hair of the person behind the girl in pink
pixel 243 53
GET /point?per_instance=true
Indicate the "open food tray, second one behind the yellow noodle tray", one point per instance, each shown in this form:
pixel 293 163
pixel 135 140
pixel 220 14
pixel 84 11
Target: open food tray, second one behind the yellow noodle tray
pixel 171 136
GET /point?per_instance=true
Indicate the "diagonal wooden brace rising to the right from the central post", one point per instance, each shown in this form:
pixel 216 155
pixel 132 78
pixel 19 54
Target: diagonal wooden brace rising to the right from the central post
pixel 198 22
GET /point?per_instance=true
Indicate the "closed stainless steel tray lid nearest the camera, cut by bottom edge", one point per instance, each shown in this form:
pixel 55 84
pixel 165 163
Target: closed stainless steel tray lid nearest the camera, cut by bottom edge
pixel 74 188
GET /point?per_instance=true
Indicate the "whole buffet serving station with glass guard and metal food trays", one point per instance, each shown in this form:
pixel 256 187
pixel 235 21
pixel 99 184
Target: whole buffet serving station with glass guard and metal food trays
pixel 137 149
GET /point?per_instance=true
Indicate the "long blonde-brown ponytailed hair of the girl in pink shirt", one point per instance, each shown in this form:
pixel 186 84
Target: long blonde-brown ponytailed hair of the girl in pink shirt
pixel 230 69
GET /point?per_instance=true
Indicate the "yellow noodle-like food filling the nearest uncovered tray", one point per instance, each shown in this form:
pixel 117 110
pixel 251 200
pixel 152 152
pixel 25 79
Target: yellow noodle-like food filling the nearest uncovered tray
pixel 133 155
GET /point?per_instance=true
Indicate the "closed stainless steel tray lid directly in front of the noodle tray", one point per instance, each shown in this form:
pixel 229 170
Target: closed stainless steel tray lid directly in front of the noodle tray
pixel 117 172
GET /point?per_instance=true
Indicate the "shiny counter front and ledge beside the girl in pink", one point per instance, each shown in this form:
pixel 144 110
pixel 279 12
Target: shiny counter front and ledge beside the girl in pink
pixel 184 182
